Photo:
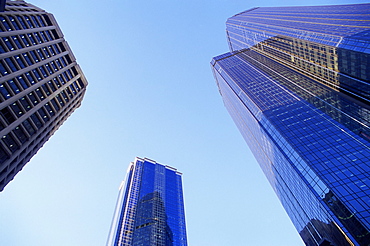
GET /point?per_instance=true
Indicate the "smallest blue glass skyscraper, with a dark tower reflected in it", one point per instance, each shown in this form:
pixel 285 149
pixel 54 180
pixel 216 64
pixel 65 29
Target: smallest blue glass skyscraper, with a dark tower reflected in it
pixel 150 207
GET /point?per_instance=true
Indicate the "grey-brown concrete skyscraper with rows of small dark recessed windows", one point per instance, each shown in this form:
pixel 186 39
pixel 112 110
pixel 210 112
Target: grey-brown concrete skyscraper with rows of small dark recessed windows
pixel 40 84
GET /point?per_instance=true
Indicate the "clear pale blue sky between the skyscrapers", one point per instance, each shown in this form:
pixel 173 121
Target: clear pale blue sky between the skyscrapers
pixel 151 94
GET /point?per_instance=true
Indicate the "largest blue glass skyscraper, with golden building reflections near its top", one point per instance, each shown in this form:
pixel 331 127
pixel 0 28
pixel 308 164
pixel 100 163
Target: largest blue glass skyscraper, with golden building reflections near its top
pixel 297 84
